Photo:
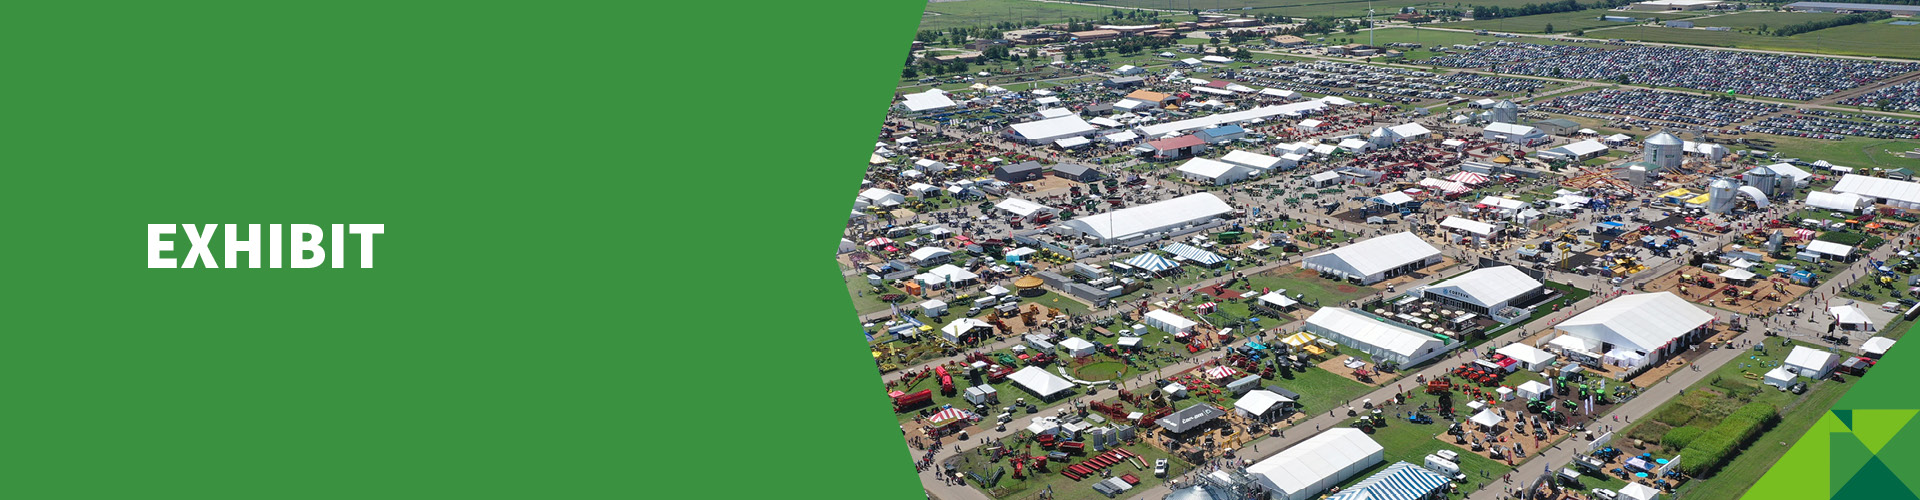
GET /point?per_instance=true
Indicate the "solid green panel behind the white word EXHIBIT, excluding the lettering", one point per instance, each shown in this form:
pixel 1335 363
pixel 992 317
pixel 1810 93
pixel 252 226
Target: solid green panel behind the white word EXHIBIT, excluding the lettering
pixel 577 197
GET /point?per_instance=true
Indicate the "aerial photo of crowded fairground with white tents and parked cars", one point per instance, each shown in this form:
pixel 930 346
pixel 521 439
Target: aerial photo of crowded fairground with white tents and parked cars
pixel 1383 251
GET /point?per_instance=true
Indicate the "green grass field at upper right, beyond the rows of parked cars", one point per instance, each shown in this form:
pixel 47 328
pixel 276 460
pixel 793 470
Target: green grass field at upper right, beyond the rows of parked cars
pixel 1873 39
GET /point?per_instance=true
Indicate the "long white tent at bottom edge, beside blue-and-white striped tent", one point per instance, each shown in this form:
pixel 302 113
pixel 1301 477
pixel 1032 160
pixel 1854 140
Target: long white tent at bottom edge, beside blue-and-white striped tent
pixel 1316 464
